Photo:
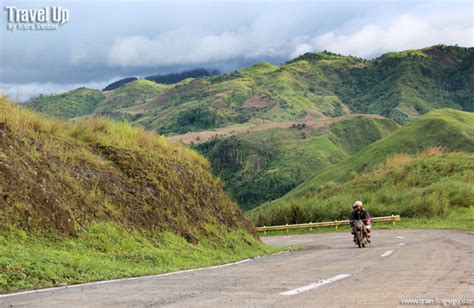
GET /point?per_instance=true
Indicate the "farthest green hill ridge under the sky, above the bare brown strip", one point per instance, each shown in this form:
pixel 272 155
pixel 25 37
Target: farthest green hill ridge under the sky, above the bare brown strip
pixel 398 85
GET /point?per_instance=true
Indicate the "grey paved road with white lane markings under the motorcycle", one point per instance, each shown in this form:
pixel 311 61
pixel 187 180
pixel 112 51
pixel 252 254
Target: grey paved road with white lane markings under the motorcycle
pixel 330 272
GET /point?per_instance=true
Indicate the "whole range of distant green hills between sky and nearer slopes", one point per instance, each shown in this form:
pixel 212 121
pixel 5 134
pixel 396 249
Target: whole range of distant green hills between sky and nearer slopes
pixel 266 128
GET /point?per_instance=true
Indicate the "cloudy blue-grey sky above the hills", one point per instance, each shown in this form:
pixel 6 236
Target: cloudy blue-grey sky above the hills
pixel 105 40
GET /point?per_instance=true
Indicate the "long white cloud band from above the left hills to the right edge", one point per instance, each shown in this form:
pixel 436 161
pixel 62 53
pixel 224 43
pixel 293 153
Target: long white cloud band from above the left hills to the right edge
pixel 282 38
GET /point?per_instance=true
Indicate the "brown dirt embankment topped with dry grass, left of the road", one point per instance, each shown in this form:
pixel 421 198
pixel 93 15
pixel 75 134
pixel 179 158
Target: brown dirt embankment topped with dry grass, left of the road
pixel 61 176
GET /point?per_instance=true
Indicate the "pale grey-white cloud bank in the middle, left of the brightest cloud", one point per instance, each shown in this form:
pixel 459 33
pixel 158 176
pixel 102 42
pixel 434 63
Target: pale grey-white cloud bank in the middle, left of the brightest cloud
pixel 264 38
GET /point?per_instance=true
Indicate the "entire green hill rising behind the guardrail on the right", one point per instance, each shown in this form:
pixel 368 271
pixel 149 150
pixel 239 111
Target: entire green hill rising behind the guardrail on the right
pixel 397 183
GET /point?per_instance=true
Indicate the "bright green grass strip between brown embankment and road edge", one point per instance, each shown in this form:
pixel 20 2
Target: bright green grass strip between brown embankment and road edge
pixel 106 250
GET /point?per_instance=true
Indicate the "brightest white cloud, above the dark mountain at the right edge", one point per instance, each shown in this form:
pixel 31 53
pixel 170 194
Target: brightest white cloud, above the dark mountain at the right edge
pixel 403 32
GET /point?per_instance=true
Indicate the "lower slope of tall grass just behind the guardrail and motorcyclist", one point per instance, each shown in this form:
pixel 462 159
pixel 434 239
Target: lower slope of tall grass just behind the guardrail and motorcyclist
pixel 430 184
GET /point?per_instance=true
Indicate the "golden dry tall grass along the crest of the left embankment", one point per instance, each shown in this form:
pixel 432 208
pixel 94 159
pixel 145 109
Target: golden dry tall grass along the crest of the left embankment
pixel 92 130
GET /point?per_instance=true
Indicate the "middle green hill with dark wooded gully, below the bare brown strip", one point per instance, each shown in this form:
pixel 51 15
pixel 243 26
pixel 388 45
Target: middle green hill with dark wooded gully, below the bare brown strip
pixel 264 165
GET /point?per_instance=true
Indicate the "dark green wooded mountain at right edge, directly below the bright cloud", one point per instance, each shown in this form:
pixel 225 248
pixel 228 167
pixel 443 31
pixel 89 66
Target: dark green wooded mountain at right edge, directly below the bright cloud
pixel 403 85
